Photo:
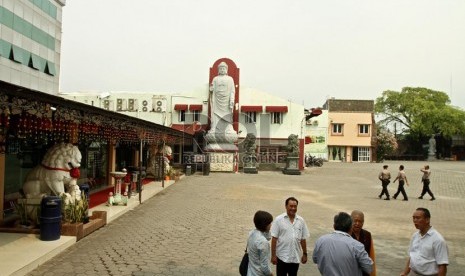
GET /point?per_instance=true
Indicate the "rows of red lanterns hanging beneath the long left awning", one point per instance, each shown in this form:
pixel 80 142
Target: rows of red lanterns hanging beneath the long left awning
pixel 40 121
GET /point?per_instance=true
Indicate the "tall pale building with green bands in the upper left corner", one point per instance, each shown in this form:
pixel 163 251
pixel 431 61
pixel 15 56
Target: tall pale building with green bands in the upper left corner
pixel 30 43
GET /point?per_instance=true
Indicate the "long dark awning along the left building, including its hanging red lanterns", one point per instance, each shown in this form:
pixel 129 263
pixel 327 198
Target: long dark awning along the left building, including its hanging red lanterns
pixel 87 121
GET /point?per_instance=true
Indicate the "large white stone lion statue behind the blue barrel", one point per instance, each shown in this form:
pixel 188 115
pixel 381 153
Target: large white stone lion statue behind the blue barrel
pixel 56 175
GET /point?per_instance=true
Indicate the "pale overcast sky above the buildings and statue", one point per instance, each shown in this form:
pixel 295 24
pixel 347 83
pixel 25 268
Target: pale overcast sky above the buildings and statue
pixel 305 51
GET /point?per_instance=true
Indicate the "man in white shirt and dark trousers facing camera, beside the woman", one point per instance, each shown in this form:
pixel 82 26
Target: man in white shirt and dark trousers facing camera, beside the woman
pixel 289 240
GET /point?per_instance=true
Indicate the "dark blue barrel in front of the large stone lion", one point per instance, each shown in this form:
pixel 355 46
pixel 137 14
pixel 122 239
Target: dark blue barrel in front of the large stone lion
pixel 50 218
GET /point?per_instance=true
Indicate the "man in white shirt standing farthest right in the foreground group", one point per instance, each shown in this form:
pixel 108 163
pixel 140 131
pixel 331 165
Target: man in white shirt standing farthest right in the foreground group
pixel 428 252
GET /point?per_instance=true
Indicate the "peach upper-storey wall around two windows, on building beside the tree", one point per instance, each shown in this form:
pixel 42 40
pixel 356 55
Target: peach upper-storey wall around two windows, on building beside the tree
pixel 350 135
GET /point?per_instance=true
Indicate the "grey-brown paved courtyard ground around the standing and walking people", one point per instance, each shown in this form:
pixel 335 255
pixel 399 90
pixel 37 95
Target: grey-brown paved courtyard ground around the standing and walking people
pixel 199 225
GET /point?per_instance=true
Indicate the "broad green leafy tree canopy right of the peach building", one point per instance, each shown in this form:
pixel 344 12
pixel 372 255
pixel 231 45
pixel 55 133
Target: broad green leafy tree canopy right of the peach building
pixel 421 111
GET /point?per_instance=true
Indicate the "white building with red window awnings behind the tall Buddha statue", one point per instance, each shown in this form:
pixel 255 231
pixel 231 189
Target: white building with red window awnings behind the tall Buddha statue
pixel 271 119
